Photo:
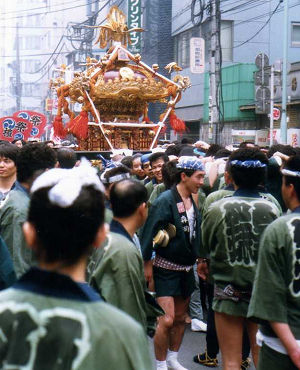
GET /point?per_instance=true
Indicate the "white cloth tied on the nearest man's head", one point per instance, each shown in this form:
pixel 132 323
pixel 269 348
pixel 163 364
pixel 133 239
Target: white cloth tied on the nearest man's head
pixel 66 184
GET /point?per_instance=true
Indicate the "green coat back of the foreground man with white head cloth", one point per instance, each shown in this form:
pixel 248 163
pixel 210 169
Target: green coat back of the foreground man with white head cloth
pixel 50 322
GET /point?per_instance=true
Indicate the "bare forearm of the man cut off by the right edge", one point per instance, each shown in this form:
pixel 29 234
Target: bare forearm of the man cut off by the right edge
pixel 287 338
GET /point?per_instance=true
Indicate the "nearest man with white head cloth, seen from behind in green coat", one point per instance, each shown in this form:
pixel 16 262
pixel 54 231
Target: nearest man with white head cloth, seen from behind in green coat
pixel 51 319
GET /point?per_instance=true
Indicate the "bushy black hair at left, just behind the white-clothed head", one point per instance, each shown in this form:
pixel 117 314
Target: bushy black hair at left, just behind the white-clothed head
pixel 32 158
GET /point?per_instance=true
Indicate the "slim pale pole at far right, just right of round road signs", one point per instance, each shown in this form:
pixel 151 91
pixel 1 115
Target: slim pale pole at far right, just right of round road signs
pixel 283 124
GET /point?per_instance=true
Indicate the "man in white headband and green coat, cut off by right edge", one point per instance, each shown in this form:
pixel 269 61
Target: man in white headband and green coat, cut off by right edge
pixel 276 294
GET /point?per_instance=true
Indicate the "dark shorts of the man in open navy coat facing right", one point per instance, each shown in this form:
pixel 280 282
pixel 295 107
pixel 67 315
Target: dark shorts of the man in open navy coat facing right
pixel 169 283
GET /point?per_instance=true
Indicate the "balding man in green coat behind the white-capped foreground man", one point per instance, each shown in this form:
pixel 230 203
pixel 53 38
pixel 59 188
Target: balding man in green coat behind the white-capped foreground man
pixel 119 274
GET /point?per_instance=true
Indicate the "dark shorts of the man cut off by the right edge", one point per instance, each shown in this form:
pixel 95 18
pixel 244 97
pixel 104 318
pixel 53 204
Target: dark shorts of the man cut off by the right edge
pixel 272 360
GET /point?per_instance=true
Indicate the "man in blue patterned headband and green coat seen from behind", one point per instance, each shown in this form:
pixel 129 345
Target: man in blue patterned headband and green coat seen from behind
pixel 231 230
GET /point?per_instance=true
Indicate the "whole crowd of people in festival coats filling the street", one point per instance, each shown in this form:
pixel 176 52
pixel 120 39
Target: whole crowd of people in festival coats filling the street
pixel 95 258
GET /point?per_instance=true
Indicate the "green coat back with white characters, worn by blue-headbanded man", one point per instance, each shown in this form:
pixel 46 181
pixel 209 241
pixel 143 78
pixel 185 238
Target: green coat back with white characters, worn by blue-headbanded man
pixel 232 228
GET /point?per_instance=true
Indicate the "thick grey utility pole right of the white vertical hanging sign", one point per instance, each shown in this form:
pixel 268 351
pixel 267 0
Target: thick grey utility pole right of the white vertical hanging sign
pixel 214 74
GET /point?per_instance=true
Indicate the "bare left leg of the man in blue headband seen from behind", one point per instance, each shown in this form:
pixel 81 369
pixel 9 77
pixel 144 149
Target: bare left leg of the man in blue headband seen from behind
pixel 230 336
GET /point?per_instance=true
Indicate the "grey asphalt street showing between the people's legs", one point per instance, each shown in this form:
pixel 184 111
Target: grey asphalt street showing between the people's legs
pixel 193 343
